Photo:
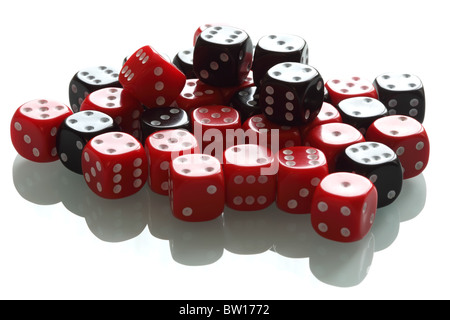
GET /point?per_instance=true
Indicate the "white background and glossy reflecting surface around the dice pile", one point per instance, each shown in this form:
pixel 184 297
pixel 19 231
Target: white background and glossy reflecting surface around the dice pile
pixel 58 241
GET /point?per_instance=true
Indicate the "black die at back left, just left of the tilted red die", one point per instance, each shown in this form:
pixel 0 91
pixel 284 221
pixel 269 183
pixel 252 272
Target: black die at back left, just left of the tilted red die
pixel 91 79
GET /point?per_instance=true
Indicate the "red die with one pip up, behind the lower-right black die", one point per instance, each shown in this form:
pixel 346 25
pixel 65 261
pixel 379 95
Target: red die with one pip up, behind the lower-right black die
pixel 332 139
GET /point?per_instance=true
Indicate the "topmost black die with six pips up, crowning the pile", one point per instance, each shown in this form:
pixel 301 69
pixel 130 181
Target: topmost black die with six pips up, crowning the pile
pixel 223 56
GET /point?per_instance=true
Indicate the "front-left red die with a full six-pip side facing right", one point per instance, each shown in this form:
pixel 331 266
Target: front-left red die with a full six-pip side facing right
pixel 114 165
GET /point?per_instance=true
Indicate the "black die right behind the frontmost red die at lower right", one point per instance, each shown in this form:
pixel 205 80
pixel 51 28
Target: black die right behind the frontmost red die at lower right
pixel 379 164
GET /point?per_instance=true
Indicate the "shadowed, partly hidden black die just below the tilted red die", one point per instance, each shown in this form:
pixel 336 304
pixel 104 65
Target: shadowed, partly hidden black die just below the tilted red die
pixel 163 118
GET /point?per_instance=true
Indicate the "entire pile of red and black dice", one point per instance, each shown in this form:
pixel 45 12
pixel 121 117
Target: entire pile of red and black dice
pixel 229 124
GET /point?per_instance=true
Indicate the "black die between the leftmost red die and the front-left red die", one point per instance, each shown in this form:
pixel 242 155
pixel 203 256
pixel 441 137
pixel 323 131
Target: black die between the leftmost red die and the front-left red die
pixel 76 131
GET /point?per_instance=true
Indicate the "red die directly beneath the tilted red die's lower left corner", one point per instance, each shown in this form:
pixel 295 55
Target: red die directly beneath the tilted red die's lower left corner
pixel 120 105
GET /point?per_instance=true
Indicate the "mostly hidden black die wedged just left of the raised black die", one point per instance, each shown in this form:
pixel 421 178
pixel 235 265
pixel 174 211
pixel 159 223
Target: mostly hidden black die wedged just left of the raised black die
pixel 246 102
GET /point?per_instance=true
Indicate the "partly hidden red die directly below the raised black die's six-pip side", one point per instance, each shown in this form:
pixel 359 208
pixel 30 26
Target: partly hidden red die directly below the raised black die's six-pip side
pixel 262 132
